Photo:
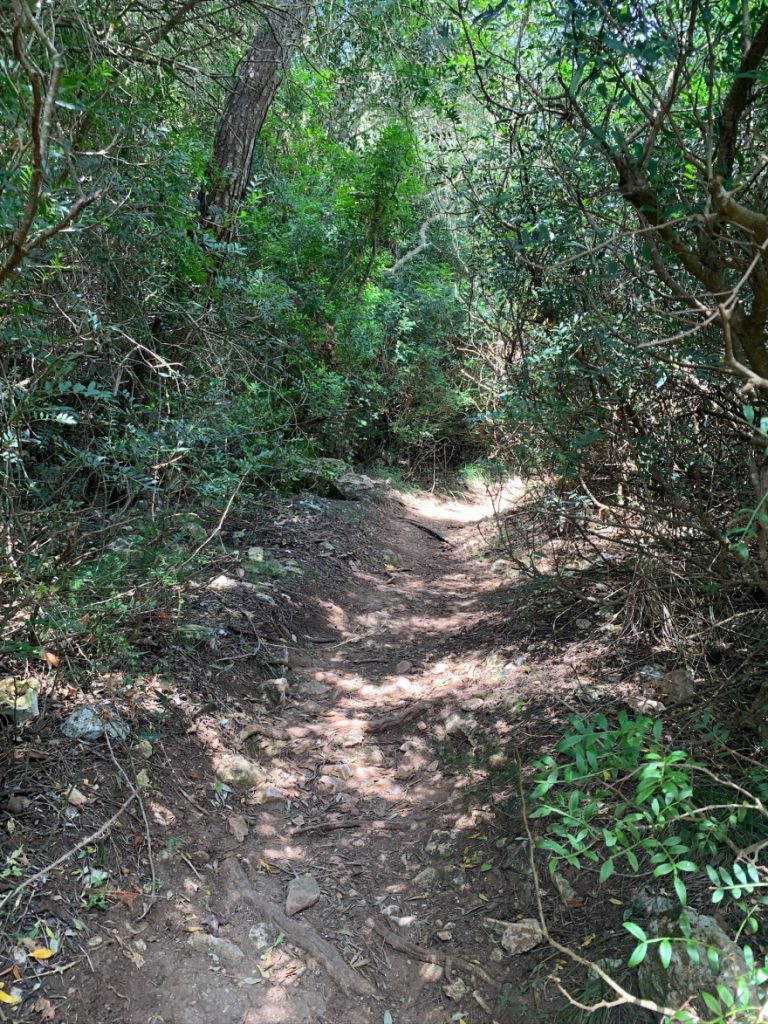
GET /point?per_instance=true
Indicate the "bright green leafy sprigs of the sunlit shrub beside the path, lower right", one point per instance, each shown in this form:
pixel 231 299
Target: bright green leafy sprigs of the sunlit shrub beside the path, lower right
pixel 619 797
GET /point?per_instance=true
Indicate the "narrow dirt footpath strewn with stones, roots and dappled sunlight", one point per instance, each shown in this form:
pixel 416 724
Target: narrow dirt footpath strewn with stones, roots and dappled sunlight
pixel 387 786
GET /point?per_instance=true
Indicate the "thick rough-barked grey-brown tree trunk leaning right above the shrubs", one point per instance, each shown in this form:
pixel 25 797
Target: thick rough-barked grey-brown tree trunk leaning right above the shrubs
pixel 229 174
